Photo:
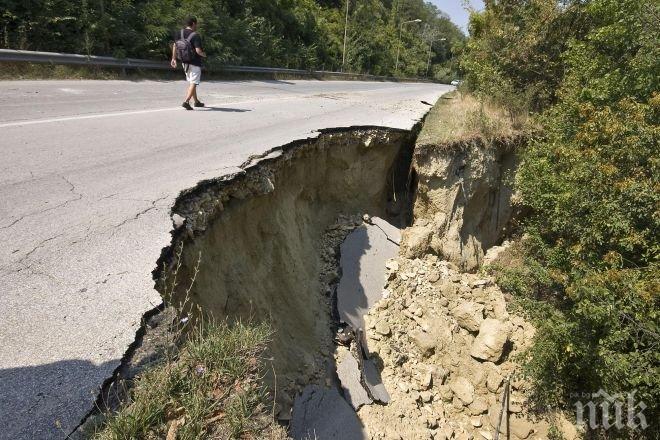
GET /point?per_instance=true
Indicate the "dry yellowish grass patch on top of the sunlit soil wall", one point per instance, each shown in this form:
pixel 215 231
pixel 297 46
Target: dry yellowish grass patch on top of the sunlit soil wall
pixel 461 117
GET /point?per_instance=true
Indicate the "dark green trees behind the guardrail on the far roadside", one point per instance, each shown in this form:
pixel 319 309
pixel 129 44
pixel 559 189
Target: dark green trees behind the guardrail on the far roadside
pixel 283 33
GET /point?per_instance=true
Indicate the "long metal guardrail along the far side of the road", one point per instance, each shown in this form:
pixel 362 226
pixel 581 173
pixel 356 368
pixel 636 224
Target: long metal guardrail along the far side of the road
pixel 27 56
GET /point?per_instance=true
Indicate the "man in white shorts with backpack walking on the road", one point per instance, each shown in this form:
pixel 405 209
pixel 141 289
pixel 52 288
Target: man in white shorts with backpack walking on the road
pixel 188 49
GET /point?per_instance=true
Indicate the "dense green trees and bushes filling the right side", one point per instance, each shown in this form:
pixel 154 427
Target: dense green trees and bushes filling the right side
pixel 589 70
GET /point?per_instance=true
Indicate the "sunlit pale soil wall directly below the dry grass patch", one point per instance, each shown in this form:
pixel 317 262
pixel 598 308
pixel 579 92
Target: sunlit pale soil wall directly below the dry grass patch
pixel 463 199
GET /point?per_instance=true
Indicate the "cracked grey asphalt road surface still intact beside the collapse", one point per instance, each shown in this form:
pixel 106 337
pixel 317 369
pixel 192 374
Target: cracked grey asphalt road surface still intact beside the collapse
pixel 88 172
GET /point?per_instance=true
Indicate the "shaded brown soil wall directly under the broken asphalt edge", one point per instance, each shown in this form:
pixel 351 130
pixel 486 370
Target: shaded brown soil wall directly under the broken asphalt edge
pixel 257 236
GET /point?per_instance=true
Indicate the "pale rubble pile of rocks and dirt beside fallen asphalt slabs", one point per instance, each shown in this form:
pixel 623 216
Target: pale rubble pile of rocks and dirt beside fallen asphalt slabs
pixel 445 341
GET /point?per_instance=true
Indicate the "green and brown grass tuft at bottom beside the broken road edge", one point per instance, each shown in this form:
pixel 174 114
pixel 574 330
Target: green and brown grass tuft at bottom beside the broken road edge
pixel 211 388
